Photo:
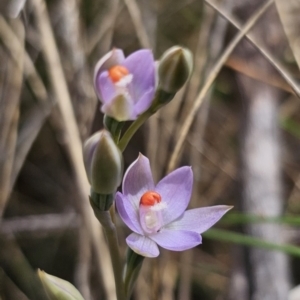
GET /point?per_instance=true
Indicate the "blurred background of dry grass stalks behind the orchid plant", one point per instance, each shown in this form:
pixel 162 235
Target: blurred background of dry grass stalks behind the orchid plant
pixel 236 123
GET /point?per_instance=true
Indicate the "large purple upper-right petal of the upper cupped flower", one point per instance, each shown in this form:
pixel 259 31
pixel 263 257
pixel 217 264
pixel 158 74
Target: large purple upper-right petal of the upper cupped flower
pixel 142 66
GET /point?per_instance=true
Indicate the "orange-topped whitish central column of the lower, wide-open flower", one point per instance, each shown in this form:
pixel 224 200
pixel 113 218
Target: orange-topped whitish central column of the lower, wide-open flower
pixel 150 211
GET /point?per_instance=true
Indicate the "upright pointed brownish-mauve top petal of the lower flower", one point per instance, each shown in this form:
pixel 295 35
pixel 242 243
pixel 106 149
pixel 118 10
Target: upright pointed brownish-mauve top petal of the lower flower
pixel 138 180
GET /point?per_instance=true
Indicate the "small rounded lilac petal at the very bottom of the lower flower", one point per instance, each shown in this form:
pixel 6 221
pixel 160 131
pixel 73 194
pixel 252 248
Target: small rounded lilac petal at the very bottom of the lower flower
pixel 142 245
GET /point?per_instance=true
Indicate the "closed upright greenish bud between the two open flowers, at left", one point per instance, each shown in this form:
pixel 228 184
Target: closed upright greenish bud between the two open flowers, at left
pixel 103 162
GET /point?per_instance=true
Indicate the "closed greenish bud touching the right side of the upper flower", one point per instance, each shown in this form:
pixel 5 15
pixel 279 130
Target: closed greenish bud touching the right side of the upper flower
pixel 174 68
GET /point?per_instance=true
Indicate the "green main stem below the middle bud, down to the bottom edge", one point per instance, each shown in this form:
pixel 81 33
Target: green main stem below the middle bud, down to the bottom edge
pixel 110 232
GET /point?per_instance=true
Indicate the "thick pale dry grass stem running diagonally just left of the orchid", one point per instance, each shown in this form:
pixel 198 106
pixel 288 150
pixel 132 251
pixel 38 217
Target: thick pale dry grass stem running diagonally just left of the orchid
pixel 73 142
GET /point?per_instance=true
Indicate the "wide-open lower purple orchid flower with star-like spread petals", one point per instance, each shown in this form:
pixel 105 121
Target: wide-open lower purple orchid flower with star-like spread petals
pixel 156 213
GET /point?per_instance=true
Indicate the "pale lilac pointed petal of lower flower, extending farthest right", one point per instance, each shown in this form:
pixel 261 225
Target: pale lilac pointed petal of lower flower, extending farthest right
pixel 199 219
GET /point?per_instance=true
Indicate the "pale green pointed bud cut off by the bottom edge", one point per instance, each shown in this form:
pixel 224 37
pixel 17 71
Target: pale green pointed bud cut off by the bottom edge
pixel 57 288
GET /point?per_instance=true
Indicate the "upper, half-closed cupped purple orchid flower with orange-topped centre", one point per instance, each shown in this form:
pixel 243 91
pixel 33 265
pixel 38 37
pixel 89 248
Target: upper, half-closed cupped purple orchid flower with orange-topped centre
pixel 125 86
